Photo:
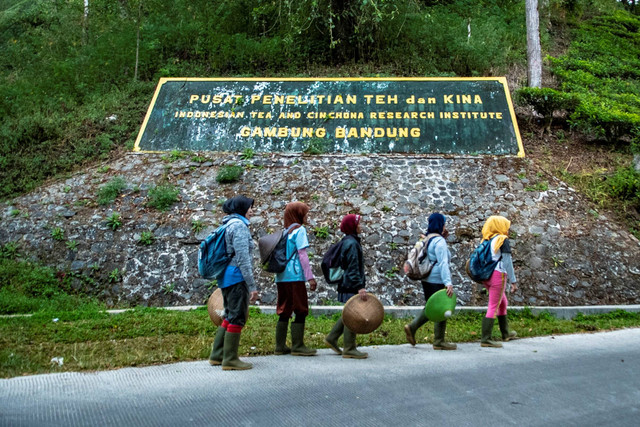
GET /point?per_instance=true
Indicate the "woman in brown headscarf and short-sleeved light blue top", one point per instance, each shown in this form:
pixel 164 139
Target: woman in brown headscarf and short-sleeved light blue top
pixel 291 283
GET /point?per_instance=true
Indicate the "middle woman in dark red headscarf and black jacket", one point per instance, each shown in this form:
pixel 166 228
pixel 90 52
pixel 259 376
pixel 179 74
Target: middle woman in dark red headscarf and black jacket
pixel 353 282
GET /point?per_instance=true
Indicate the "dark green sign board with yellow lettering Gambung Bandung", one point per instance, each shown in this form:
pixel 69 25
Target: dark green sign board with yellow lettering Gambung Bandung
pixel 381 115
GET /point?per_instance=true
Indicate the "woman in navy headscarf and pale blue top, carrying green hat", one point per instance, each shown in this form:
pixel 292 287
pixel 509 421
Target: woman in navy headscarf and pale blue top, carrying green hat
pixel 439 278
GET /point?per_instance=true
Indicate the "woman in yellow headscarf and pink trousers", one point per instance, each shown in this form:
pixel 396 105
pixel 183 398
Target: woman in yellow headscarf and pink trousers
pixel 496 230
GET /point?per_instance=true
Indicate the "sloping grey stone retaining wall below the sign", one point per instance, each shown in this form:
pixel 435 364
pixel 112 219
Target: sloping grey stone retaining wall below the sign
pixel 565 252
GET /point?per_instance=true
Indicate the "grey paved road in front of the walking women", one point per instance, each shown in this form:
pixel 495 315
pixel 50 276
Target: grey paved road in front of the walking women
pixel 572 380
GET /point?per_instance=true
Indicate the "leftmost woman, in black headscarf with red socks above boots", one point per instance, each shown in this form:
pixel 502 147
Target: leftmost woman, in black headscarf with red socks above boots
pixel 237 284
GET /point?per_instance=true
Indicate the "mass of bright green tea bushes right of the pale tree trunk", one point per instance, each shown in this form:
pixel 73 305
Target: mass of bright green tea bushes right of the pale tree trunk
pixel 602 71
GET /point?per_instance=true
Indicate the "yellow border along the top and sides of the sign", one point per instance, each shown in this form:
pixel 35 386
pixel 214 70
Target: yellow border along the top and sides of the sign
pixel 163 80
